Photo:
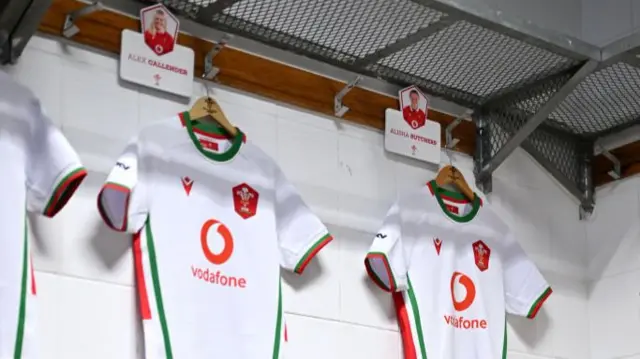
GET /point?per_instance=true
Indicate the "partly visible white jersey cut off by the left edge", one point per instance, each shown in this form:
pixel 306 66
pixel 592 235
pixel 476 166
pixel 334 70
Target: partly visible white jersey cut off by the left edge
pixel 40 172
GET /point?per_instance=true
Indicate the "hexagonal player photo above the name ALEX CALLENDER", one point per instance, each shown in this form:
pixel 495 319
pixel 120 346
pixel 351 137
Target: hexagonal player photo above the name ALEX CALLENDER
pixel 160 28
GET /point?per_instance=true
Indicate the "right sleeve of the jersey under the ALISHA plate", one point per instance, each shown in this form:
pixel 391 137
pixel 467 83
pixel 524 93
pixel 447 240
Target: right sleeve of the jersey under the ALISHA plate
pixel 525 287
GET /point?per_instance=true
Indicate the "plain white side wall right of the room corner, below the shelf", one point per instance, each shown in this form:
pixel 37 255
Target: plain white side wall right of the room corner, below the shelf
pixel 613 247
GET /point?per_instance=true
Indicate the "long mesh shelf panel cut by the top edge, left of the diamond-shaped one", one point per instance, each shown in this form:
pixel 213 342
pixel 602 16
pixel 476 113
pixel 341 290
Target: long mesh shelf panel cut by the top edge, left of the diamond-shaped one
pixel 330 21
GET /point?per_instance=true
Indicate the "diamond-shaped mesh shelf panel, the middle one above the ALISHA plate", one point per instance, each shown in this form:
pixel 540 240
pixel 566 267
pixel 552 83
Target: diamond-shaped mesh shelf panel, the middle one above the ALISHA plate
pixel 468 58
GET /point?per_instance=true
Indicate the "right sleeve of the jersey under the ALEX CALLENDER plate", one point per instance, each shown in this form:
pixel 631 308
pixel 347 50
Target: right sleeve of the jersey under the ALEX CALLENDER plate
pixel 301 234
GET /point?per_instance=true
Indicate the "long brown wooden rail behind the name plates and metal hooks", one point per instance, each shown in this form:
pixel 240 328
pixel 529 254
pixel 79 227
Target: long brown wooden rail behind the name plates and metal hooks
pixel 251 73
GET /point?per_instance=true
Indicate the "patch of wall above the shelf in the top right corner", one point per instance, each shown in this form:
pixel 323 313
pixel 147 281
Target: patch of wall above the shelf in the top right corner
pixel 604 21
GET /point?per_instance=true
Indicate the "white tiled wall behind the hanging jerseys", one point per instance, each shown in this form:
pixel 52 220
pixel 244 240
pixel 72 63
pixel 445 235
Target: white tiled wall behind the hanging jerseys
pixel 85 271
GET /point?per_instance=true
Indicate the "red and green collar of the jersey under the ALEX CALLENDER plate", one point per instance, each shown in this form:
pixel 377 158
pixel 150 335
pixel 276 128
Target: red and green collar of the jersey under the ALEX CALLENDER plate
pixel 213 131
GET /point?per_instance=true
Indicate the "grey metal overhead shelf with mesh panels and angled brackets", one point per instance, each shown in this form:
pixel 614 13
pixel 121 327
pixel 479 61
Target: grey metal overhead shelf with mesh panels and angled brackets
pixel 551 94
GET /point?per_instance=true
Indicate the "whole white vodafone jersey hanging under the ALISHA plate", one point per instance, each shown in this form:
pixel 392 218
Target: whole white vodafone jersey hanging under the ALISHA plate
pixel 455 269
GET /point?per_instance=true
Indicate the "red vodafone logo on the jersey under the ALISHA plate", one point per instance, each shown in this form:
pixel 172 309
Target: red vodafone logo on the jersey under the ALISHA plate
pixel 463 294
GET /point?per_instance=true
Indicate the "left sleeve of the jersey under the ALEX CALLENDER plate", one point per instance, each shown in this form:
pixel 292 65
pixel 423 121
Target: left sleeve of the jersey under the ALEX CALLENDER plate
pixel 122 200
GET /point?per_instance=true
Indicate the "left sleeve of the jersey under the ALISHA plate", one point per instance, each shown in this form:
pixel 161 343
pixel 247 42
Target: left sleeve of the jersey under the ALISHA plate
pixel 385 263
